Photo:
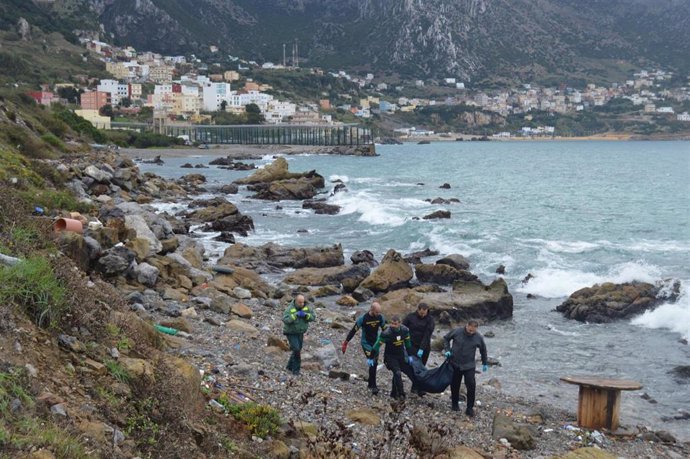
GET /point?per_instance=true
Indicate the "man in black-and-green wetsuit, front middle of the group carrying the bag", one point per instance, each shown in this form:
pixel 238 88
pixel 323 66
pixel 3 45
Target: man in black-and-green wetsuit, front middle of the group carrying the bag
pixel 396 357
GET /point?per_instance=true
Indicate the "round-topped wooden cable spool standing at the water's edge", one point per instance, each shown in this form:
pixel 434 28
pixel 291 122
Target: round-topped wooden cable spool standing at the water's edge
pixel 599 400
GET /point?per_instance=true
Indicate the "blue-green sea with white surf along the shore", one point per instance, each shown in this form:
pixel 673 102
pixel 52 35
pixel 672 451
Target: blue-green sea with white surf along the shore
pixel 571 213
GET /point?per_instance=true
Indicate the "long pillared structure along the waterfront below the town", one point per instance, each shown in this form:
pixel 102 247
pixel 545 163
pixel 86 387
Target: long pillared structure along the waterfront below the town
pixel 269 134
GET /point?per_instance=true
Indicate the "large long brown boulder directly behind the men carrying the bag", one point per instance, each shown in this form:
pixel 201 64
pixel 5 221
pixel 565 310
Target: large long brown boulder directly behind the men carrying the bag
pixel 467 300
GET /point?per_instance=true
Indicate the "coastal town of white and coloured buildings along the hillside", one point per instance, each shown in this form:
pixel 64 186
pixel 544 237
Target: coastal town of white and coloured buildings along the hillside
pixel 183 90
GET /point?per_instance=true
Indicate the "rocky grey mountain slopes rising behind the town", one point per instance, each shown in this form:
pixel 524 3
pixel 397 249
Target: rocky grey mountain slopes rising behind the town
pixel 469 39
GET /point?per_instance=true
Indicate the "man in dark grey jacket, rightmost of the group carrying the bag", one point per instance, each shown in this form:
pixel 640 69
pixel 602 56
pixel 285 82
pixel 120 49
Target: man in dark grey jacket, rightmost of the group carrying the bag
pixel 462 354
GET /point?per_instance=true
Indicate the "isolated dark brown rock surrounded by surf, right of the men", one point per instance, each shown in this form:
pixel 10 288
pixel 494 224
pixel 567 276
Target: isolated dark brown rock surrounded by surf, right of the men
pixel 608 302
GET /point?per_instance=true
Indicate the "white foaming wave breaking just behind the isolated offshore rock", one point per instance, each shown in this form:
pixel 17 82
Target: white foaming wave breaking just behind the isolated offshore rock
pixel 556 282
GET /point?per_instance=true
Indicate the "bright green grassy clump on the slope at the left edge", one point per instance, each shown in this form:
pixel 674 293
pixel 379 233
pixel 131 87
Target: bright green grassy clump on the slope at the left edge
pixel 32 285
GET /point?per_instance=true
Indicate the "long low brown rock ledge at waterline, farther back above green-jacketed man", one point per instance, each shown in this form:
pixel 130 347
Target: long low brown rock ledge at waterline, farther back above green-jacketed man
pixel 274 258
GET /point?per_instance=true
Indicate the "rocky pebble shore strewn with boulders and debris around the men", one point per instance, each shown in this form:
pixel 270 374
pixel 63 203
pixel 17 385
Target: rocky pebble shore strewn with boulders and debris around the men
pixel 225 318
